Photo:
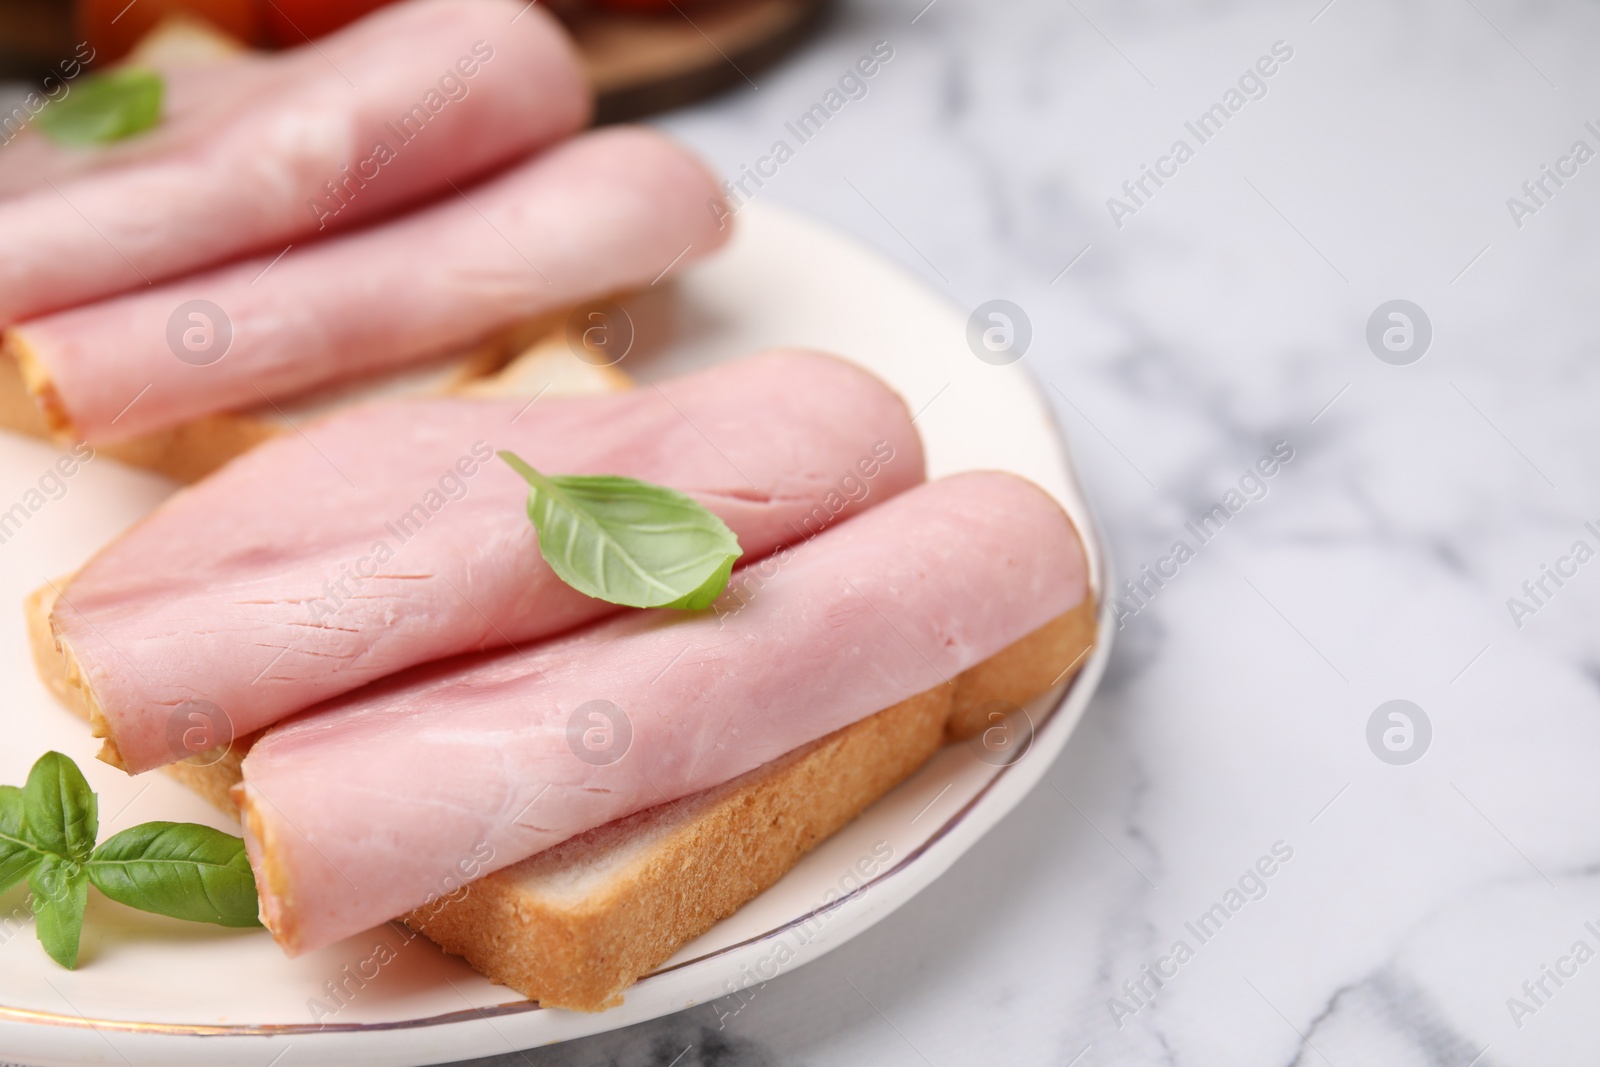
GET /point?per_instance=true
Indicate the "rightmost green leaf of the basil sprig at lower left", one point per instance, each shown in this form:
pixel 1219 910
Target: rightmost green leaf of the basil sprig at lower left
pixel 180 869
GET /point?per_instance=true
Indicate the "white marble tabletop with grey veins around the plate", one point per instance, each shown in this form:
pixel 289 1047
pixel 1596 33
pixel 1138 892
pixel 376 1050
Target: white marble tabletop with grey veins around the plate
pixel 1228 314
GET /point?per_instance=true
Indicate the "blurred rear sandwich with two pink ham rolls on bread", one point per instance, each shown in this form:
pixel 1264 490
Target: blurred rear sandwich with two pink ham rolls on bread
pixel 282 308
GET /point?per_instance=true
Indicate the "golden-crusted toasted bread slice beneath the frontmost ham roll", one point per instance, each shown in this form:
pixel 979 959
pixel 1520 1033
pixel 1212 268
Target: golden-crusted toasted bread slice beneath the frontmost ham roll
pixel 577 925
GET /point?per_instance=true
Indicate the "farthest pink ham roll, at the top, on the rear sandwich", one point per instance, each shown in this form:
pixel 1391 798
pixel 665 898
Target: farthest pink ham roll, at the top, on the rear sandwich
pixel 252 178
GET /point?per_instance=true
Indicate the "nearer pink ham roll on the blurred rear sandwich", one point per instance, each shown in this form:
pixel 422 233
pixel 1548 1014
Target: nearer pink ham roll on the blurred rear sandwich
pixel 604 212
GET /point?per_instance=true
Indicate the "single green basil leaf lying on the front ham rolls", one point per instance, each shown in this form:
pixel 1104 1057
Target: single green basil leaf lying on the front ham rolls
pixel 626 541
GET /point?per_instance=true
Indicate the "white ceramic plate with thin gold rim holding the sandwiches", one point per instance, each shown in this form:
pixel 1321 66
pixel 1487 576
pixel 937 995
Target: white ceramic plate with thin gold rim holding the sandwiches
pixel 153 991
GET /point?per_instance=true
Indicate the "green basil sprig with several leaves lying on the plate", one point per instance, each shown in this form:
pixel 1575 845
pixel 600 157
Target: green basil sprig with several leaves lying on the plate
pixel 180 869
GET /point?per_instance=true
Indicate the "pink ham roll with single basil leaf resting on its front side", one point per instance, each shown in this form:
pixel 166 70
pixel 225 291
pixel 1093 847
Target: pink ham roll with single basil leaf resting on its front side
pixel 390 537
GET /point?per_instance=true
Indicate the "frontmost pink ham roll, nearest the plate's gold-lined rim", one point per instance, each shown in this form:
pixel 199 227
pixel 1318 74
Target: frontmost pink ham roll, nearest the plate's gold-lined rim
pixel 372 805
